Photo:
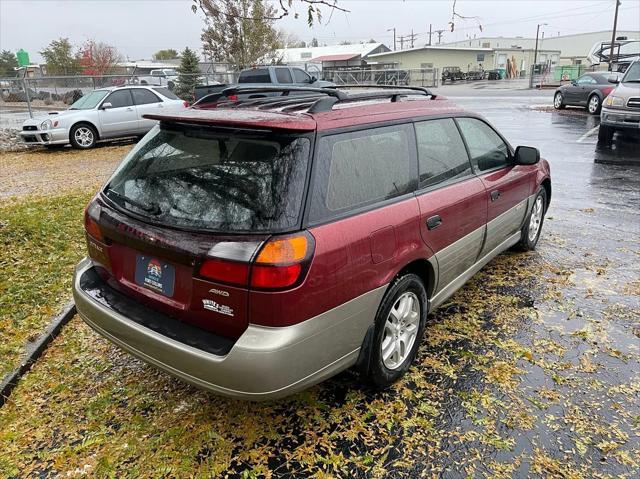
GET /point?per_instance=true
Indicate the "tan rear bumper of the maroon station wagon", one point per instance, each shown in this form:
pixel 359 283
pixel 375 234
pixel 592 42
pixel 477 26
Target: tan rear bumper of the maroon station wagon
pixel 264 363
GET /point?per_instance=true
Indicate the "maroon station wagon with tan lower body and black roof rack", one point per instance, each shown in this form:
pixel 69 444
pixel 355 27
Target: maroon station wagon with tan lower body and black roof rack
pixel 268 238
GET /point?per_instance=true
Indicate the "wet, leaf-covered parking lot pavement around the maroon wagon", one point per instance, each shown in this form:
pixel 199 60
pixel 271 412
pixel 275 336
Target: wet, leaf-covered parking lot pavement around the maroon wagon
pixel 530 370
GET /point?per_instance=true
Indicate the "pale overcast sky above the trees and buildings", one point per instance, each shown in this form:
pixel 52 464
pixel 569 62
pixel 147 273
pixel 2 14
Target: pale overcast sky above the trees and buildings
pixel 138 28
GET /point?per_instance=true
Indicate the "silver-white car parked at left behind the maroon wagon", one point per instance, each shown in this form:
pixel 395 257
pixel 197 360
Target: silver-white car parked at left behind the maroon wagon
pixel 106 113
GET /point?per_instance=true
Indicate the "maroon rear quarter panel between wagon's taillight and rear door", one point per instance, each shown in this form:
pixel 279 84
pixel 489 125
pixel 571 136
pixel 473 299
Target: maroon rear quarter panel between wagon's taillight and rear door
pixel 353 255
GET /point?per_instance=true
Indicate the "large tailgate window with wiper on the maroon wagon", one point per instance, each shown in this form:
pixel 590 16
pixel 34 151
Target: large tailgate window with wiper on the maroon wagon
pixel 202 180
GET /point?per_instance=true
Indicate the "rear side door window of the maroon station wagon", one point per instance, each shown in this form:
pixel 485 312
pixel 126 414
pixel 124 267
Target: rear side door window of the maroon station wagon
pixel 441 152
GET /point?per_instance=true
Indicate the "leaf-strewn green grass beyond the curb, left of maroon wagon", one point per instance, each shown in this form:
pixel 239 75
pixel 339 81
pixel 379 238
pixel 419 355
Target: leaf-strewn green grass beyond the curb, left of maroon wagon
pixel 41 238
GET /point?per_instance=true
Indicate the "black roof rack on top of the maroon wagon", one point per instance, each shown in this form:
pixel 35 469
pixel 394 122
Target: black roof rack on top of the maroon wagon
pixel 316 100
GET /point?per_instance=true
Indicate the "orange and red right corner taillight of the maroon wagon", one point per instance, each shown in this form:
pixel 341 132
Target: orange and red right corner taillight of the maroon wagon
pixel 282 261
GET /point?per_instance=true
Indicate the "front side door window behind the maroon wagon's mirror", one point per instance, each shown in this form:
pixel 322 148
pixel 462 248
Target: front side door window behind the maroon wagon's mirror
pixel 486 148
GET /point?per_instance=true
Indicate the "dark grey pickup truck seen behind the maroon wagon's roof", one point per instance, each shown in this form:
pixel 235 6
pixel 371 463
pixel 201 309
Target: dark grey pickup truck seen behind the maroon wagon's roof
pixel 266 76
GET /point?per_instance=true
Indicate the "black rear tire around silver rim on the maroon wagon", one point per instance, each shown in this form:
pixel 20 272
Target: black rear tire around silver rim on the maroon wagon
pixel 375 371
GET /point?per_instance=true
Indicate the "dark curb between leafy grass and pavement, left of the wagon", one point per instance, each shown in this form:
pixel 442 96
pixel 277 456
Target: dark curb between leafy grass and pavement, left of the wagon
pixel 34 350
